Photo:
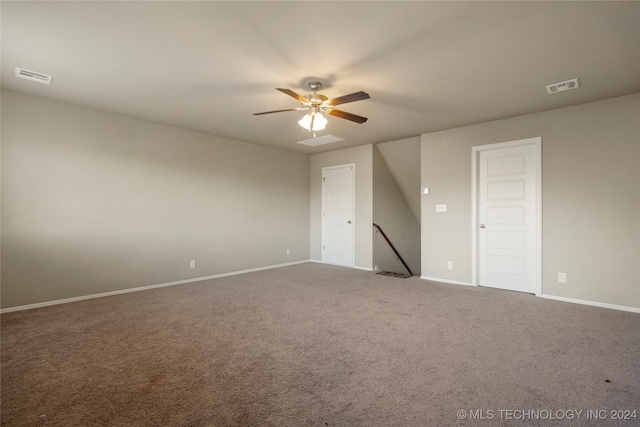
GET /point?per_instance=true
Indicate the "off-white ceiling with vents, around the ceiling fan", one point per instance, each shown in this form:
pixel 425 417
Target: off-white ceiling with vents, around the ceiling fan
pixel 428 66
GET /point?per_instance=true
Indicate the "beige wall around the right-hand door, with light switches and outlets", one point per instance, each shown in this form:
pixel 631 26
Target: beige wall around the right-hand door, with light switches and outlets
pixel 590 202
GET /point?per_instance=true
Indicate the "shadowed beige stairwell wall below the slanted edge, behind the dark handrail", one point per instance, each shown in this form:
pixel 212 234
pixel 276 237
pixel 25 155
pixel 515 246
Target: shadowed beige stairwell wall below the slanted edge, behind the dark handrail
pixel 393 214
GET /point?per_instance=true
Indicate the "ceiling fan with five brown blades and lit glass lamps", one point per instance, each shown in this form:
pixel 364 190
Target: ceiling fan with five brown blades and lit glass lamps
pixel 316 103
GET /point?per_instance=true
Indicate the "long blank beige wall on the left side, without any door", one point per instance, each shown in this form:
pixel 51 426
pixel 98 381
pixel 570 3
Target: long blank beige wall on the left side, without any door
pixel 95 202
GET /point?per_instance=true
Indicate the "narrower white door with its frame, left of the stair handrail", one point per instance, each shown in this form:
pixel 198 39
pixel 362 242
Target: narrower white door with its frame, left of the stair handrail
pixel 337 215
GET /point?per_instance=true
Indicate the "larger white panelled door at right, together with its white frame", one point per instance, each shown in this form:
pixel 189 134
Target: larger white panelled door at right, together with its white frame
pixel 508 215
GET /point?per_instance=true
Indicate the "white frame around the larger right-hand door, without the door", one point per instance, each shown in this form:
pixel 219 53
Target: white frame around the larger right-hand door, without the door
pixel 475 180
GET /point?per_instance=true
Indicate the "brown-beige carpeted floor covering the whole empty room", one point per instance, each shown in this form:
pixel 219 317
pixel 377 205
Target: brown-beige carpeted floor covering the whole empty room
pixel 318 345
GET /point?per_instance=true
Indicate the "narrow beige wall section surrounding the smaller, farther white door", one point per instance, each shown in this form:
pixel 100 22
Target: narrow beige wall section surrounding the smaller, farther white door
pixel 362 157
